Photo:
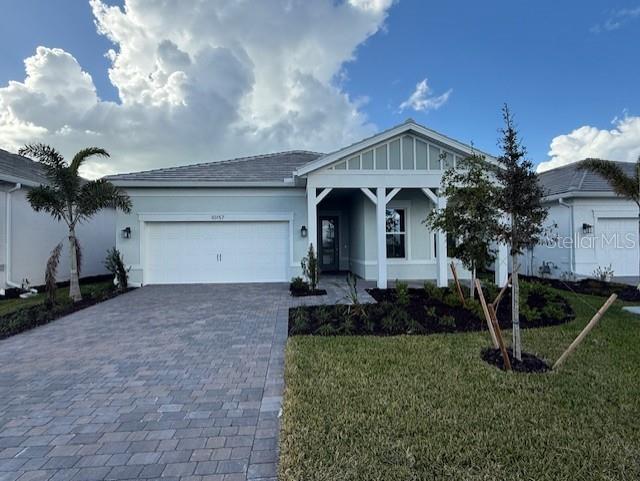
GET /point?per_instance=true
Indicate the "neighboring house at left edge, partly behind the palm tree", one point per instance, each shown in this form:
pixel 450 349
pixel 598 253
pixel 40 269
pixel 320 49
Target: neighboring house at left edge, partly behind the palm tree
pixel 27 237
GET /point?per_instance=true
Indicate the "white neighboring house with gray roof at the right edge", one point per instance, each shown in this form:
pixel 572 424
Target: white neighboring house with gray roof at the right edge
pixel 595 227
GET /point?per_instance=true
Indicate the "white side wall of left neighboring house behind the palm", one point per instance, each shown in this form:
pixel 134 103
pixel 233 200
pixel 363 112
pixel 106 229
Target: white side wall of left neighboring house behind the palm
pixel 34 235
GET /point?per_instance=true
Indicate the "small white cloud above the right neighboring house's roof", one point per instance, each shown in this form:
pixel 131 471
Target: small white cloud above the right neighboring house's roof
pixel 620 143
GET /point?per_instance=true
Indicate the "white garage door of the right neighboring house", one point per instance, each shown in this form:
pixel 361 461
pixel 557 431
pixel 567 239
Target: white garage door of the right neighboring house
pixel 617 245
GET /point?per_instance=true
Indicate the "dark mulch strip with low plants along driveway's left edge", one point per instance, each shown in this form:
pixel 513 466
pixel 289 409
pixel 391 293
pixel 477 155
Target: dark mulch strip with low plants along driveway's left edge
pixel 38 315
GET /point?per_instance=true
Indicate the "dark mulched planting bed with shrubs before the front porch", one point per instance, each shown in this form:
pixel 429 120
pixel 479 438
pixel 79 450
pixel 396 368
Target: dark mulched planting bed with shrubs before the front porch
pixel 427 311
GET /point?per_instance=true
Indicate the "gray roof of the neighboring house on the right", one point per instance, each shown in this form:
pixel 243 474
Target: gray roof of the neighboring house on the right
pixel 568 179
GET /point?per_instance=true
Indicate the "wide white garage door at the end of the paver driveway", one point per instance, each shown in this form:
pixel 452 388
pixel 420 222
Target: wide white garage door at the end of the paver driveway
pixel 210 252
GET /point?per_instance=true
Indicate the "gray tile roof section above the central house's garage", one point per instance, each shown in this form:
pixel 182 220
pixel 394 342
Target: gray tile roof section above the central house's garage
pixel 267 168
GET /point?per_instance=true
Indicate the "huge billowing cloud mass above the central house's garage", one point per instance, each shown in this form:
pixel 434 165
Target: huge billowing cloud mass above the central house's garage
pixel 200 82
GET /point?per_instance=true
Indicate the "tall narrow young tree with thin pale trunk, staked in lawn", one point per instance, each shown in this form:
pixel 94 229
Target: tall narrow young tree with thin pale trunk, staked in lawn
pixel 520 201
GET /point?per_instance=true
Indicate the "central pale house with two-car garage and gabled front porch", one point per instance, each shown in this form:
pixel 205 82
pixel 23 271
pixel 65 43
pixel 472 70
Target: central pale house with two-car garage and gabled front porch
pixel 252 219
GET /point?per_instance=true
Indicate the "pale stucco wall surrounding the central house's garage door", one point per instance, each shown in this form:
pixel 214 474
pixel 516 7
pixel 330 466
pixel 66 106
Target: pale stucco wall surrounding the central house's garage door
pixel 213 201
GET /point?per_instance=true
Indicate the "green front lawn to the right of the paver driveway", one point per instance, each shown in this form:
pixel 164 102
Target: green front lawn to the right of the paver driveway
pixel 428 408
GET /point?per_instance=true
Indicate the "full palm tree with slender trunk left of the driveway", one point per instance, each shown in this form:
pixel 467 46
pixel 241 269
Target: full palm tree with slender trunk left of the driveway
pixel 70 198
